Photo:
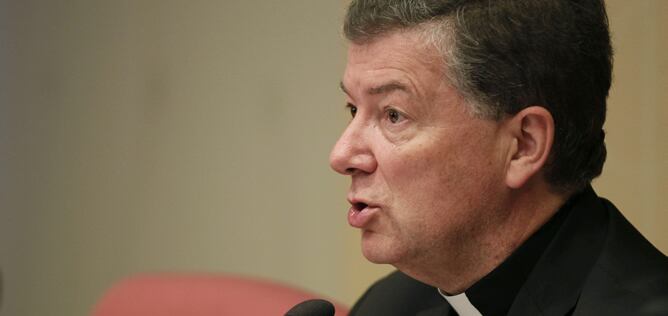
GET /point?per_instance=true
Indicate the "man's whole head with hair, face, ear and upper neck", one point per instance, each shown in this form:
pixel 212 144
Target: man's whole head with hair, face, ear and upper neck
pixel 462 109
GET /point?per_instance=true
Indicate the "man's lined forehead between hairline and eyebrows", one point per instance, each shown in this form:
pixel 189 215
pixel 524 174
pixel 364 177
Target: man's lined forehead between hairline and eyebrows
pixel 400 58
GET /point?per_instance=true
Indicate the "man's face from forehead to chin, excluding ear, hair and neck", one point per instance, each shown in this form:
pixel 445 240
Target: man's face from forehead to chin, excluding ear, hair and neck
pixel 426 175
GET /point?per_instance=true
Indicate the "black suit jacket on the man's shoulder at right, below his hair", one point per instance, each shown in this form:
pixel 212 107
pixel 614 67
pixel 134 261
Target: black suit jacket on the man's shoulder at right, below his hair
pixel 597 264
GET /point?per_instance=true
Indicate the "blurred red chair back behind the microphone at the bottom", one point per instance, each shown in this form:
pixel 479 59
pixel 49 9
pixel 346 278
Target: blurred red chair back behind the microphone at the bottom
pixel 200 295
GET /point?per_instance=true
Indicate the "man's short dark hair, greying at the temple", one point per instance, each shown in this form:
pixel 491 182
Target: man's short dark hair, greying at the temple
pixel 506 55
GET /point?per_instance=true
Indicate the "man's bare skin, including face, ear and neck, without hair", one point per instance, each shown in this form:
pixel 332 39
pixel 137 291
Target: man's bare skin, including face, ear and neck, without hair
pixel 450 195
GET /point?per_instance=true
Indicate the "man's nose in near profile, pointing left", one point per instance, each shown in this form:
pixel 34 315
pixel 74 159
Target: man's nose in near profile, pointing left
pixel 352 153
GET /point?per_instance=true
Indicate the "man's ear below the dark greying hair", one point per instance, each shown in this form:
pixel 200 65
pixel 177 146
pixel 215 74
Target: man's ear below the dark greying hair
pixel 532 130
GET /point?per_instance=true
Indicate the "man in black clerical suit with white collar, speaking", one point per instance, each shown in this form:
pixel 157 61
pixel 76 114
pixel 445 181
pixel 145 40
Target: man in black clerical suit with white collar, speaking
pixel 476 130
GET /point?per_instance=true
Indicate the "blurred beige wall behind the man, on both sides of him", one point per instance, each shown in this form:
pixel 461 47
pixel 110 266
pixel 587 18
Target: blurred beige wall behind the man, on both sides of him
pixel 192 136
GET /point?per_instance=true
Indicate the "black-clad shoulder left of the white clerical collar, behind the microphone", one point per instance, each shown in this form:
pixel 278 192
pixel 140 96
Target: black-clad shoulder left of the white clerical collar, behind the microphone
pixel 399 294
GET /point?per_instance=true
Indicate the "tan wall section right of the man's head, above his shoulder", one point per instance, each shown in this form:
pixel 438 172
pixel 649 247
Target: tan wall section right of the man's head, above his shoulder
pixel 636 172
